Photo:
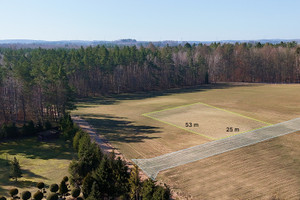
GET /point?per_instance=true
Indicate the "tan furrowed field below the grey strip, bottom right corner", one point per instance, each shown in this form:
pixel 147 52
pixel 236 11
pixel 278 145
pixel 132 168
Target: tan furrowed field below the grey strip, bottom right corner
pixel 259 171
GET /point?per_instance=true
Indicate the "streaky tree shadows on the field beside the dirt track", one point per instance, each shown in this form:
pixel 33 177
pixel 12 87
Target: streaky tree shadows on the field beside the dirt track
pixel 118 129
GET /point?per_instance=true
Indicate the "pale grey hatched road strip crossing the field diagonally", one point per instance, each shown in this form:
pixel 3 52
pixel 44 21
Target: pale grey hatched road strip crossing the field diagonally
pixel 154 165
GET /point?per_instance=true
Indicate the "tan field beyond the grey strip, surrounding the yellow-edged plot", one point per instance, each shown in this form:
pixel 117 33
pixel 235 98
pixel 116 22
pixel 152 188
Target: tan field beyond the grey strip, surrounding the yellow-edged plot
pixel 120 118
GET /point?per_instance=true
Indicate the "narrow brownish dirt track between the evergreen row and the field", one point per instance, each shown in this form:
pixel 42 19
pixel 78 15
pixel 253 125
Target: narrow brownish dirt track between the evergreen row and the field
pixel 104 144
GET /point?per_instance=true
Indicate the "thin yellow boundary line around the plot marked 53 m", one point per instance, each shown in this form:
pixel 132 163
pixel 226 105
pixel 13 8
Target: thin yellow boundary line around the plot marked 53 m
pixel 203 135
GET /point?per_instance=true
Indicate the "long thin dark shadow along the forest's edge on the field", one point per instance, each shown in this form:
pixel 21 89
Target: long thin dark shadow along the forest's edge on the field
pixel 115 98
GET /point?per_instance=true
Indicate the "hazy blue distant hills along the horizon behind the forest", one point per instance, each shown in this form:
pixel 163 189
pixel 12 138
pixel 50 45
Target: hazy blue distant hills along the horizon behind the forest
pixel 22 43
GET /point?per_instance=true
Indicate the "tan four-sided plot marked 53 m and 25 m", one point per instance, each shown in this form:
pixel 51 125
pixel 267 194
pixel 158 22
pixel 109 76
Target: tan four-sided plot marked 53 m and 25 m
pixel 208 121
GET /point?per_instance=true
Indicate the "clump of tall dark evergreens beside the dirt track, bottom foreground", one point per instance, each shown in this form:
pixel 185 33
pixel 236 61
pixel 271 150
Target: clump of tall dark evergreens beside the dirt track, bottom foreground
pixel 103 176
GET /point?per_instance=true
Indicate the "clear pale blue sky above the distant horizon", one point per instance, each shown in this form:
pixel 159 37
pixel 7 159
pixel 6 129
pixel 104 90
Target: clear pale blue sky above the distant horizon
pixel 149 20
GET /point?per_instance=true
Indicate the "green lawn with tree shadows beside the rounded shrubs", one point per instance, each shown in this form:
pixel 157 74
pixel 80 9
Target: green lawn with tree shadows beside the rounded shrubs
pixel 39 161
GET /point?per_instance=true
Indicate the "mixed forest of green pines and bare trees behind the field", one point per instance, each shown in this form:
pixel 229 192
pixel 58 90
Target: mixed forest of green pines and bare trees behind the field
pixel 42 84
